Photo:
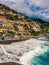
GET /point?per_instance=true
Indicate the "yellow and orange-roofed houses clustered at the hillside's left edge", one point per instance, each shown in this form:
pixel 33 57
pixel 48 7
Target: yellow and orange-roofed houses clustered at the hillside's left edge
pixel 3 25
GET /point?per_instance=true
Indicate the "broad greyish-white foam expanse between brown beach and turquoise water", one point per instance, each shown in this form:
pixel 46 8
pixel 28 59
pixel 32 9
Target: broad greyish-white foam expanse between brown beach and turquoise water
pixel 20 52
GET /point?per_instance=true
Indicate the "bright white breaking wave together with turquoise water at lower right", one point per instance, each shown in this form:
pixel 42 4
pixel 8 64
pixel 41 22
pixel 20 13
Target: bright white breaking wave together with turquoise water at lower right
pixel 38 56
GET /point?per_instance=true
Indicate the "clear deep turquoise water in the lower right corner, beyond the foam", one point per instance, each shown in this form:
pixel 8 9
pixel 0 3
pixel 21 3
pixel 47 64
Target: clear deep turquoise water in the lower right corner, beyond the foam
pixel 41 59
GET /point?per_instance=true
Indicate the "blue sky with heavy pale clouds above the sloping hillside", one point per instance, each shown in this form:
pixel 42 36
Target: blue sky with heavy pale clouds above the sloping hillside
pixel 31 8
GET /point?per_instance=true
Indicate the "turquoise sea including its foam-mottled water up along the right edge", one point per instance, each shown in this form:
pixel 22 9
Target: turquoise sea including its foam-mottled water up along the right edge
pixel 41 58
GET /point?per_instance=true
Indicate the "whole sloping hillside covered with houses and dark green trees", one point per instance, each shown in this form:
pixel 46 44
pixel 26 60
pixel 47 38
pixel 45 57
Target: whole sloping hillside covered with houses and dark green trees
pixel 14 23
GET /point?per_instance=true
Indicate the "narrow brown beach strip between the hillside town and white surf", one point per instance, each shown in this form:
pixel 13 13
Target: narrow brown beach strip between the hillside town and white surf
pixel 23 38
